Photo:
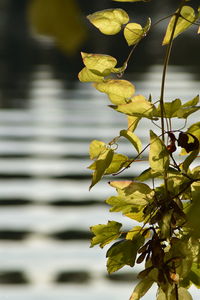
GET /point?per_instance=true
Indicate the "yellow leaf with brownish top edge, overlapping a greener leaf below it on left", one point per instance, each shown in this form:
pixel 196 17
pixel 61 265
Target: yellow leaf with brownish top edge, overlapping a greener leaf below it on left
pixel 99 64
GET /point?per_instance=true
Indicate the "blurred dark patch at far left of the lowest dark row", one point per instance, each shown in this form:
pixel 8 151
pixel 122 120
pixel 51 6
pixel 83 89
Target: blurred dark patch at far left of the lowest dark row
pixel 13 277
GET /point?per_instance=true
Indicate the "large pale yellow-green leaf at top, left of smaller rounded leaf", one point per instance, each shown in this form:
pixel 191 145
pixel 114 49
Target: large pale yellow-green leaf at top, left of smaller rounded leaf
pixel 109 21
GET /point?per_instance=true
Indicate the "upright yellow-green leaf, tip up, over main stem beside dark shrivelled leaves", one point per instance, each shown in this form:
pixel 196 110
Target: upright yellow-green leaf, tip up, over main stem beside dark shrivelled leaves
pixel 158 154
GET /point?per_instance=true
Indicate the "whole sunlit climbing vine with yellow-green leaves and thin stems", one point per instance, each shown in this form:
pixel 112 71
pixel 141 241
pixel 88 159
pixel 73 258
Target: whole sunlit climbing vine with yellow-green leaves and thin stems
pixel 165 198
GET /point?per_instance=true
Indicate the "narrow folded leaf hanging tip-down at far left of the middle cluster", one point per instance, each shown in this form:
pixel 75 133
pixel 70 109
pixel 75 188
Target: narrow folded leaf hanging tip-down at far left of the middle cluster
pixel 100 166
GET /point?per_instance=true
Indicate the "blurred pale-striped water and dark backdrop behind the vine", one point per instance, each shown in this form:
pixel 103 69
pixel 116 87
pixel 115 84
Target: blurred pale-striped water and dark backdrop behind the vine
pixel 47 120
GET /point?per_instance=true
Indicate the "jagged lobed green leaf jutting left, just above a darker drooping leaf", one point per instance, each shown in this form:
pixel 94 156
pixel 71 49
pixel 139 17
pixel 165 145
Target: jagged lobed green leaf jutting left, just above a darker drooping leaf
pixel 104 234
